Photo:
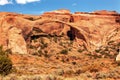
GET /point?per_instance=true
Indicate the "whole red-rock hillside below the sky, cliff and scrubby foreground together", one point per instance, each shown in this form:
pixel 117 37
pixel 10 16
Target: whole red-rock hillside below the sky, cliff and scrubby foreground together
pixel 59 45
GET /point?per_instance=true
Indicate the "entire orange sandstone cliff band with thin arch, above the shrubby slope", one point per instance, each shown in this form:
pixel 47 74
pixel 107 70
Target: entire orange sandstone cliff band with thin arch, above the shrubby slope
pixel 92 30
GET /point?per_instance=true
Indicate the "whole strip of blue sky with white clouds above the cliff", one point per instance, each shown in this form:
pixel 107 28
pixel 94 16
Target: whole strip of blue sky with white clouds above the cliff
pixel 40 6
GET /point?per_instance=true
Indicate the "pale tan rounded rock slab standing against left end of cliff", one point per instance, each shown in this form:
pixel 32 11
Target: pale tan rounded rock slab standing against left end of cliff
pixel 16 41
